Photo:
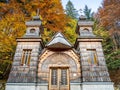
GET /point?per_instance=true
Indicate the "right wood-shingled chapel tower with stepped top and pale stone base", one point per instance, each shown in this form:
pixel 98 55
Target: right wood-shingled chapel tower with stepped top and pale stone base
pixel 93 66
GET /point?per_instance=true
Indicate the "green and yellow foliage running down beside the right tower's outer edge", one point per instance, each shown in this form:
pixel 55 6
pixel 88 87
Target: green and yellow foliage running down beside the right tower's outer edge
pixel 112 56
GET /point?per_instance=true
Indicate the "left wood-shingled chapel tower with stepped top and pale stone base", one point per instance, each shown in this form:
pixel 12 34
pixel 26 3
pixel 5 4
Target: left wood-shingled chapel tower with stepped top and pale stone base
pixel 24 68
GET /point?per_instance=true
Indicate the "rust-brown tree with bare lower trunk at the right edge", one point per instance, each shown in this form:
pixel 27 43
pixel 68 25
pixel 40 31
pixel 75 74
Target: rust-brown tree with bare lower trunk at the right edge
pixel 109 17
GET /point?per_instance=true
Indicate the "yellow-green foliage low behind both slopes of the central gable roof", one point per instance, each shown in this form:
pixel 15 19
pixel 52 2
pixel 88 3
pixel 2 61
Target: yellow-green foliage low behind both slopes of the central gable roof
pixel 69 32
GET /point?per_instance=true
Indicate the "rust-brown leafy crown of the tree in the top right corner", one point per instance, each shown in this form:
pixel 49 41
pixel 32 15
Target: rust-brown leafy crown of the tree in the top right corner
pixel 109 13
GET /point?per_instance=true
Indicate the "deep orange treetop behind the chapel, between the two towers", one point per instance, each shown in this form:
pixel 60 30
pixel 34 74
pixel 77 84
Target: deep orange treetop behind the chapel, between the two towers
pixel 53 13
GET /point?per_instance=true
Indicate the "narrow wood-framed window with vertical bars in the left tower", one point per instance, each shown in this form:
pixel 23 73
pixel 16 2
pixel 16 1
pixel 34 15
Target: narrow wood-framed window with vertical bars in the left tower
pixel 26 57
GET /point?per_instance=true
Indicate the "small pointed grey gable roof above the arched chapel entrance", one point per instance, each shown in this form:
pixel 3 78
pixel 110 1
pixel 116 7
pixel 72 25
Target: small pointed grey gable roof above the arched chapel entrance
pixel 59 42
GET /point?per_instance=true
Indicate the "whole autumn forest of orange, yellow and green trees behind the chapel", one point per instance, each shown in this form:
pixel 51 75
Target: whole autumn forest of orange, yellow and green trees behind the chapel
pixel 14 13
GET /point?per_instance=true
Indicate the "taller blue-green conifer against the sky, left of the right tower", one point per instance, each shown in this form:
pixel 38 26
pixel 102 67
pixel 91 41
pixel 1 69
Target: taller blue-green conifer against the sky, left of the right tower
pixel 71 11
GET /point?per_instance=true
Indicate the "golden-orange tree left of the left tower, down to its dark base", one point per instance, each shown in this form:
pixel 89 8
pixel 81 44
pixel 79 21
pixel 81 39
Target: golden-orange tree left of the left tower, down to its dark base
pixel 12 26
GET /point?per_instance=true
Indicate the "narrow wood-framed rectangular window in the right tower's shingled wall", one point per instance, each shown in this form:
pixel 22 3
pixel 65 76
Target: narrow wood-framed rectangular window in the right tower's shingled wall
pixel 92 57
